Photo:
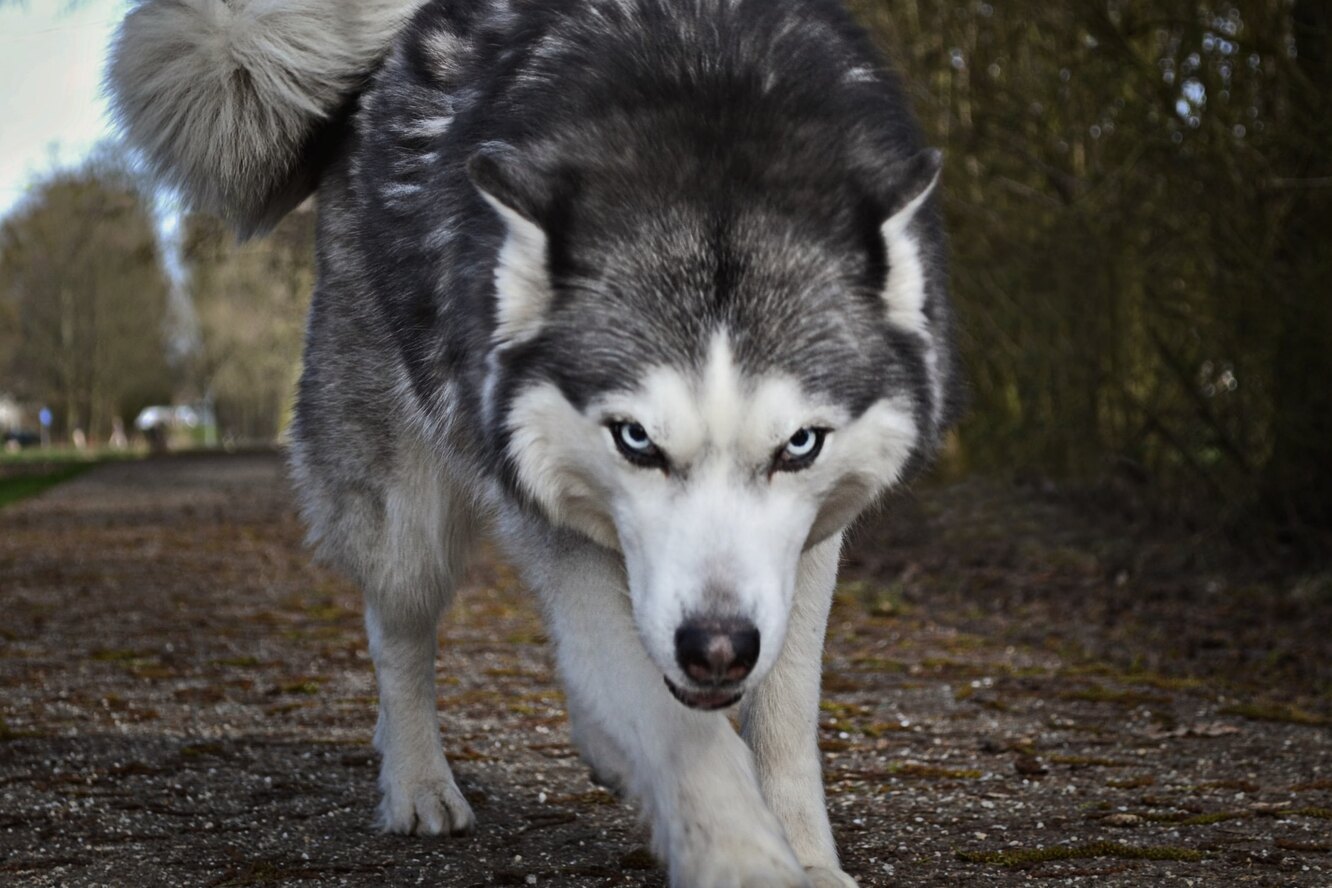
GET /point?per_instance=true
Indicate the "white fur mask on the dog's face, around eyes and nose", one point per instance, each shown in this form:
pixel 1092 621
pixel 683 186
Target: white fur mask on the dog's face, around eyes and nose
pixel 720 535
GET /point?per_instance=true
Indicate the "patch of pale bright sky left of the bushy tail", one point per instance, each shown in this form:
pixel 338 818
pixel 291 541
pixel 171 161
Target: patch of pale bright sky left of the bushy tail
pixel 53 111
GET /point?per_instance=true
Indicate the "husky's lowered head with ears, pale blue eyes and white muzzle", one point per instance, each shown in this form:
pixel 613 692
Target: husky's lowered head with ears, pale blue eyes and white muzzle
pixel 712 377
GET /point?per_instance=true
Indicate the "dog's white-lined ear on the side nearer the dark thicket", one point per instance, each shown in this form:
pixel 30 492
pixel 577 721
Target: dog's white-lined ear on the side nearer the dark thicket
pixel 906 187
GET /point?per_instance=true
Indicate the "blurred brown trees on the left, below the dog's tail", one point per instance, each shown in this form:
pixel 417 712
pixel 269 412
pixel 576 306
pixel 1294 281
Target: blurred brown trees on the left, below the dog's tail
pixel 89 330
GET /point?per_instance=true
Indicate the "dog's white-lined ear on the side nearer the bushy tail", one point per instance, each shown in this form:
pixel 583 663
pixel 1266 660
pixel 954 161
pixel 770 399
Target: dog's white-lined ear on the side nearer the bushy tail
pixel 519 194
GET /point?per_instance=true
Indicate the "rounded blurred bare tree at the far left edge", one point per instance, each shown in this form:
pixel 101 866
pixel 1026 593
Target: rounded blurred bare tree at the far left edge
pixel 82 283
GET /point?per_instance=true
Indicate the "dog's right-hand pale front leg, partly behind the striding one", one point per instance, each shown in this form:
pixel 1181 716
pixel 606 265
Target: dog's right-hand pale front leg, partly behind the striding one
pixel 781 724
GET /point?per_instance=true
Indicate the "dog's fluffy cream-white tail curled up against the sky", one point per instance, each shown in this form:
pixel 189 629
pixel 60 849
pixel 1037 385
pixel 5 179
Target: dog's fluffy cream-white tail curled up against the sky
pixel 224 97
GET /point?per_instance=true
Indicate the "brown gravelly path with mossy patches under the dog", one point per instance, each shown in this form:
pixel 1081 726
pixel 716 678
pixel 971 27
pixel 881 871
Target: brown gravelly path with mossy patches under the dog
pixel 187 702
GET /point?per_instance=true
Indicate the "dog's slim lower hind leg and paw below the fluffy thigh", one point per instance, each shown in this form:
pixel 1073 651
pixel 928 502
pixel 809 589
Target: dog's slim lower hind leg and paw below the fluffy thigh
pixel 419 791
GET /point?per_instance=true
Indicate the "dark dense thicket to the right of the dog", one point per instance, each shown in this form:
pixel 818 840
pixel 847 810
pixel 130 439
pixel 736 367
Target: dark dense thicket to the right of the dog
pixel 1138 196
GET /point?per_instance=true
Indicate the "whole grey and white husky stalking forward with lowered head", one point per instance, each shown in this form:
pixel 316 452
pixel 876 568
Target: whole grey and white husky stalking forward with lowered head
pixel 652 291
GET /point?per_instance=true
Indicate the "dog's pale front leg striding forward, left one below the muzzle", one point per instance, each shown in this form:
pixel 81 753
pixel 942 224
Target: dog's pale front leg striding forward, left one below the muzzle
pixel 691 772
